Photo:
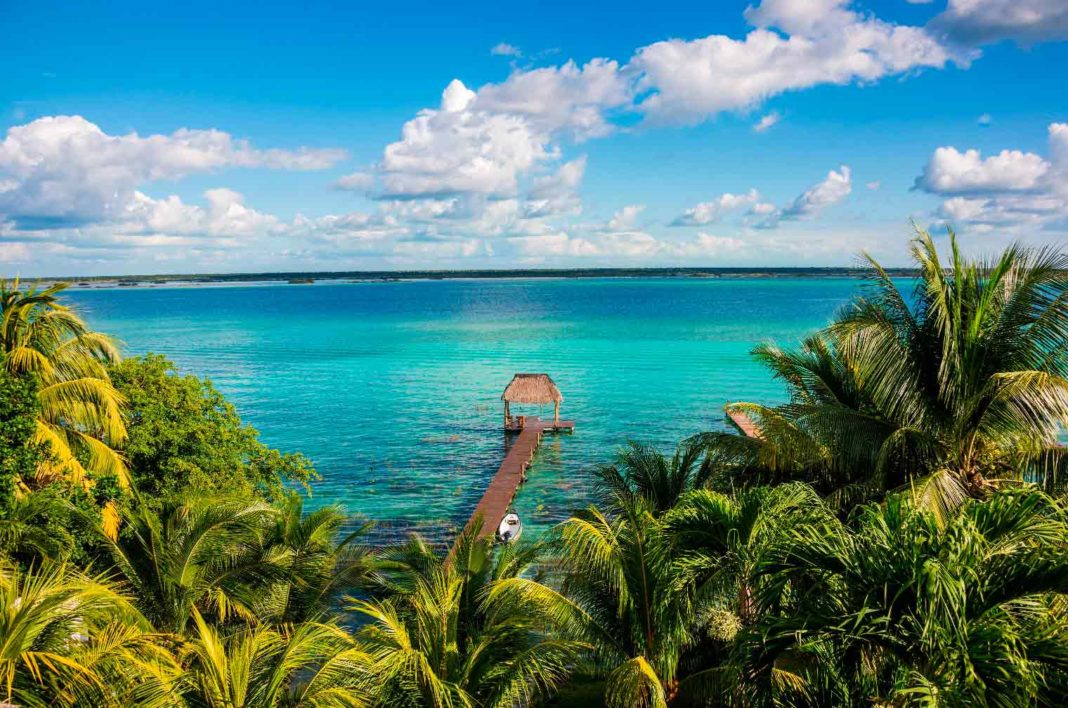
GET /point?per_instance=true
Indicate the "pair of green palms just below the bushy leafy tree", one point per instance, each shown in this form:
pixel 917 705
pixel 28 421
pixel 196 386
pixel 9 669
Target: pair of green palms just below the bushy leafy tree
pixel 234 559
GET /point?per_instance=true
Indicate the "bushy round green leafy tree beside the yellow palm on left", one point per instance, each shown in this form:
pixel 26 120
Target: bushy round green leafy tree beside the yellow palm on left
pixel 184 435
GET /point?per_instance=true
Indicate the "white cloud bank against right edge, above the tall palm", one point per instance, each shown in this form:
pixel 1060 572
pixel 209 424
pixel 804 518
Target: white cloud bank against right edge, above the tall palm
pixel 1008 191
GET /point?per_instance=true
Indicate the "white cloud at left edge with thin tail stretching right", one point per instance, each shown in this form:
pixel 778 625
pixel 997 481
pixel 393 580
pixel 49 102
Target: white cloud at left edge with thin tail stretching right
pixel 67 169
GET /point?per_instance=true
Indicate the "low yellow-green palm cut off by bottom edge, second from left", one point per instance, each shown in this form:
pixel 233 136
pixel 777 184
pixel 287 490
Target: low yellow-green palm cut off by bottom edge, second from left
pixel 305 665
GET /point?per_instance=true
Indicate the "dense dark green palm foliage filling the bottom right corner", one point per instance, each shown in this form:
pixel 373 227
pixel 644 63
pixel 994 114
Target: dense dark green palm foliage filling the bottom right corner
pixel 896 608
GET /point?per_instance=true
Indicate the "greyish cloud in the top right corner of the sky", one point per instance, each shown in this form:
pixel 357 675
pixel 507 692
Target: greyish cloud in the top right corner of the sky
pixel 1025 22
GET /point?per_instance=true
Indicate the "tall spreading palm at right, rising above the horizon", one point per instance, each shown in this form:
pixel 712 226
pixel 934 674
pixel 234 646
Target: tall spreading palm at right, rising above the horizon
pixel 962 383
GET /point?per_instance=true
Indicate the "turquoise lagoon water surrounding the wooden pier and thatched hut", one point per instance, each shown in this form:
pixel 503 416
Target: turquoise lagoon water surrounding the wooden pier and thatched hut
pixel 394 389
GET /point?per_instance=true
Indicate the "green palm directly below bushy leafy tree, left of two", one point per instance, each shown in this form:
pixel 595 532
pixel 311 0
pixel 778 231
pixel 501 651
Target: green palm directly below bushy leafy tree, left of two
pixel 208 555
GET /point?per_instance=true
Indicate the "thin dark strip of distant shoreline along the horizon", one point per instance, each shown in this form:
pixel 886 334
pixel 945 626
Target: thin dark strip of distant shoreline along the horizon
pixel 307 278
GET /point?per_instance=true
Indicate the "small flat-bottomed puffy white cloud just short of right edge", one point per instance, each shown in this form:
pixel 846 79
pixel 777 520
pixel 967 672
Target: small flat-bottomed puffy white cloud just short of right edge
pixel 953 172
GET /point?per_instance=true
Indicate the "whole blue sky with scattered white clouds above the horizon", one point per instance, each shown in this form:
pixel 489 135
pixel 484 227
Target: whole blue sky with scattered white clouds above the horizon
pixel 250 137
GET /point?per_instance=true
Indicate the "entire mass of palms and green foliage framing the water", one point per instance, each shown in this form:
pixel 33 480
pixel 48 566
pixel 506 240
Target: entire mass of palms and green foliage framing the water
pixel 897 533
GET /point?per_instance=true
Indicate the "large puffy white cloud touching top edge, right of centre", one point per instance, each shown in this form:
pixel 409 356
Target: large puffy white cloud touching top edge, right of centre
pixel 818 42
